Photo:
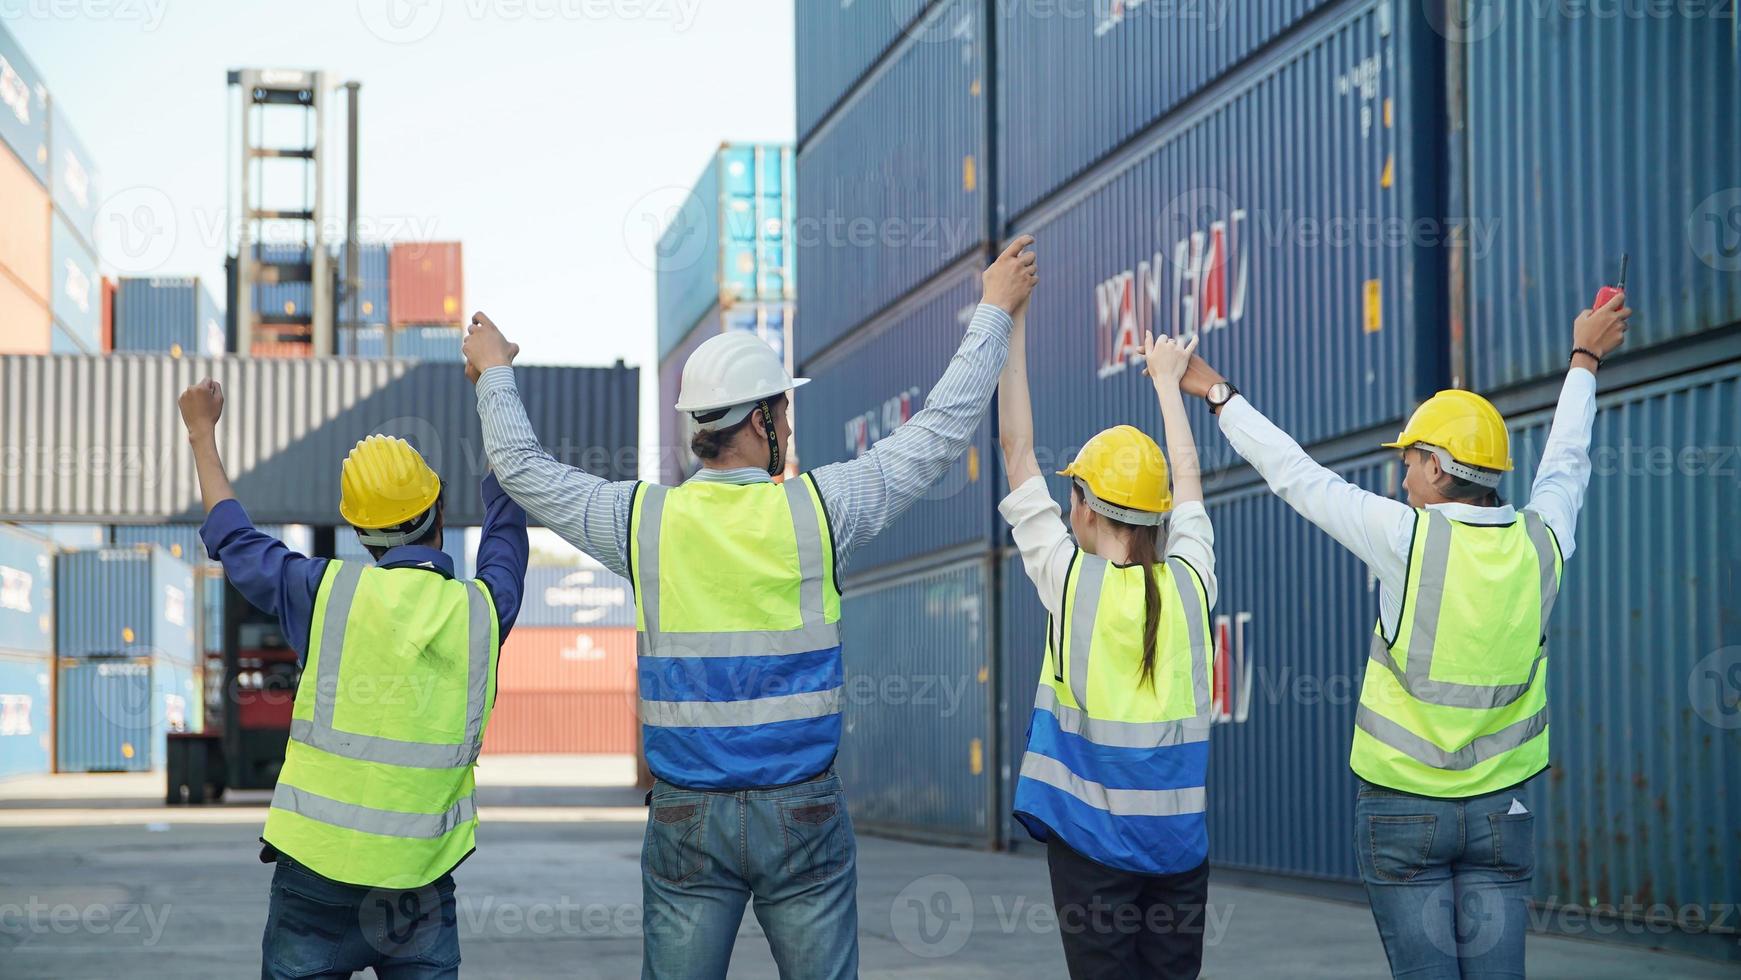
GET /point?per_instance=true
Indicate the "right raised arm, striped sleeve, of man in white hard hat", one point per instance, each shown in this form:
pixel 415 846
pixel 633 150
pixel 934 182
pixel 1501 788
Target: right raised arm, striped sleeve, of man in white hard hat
pixel 866 495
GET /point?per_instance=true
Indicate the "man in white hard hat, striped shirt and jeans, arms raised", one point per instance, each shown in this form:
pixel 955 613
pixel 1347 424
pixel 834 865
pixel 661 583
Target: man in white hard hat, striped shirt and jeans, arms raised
pixel 739 605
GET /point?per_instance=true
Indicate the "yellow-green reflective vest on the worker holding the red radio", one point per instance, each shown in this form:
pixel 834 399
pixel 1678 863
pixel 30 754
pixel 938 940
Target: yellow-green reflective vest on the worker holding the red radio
pixel 1456 704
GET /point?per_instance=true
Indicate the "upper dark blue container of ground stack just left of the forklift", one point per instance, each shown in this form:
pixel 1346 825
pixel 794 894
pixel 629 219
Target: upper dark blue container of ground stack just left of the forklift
pixel 124 603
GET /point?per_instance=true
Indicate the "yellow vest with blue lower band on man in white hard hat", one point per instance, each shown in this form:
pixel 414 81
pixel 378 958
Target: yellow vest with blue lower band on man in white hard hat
pixel 739 633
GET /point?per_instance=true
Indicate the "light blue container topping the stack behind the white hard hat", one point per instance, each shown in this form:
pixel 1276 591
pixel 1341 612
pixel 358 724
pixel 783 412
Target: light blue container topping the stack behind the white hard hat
pixel 727 245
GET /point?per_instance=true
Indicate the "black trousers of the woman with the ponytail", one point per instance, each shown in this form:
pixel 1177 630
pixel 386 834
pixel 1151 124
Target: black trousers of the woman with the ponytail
pixel 1122 923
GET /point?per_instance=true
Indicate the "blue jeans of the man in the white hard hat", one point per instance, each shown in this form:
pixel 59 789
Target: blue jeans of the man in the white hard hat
pixel 708 854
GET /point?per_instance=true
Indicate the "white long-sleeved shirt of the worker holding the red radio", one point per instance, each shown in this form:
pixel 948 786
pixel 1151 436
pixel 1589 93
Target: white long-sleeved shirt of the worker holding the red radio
pixel 1380 530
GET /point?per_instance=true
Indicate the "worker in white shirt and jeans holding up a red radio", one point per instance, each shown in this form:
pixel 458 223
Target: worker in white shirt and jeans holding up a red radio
pixel 1453 718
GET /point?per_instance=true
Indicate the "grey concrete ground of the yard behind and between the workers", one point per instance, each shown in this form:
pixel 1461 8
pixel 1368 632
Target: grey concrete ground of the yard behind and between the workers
pixel 100 880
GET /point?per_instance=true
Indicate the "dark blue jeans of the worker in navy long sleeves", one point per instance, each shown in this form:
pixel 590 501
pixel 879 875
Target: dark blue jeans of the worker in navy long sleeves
pixel 323 929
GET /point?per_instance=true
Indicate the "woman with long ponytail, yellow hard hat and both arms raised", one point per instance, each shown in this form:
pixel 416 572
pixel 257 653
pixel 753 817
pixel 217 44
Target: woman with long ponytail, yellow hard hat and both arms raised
pixel 1113 781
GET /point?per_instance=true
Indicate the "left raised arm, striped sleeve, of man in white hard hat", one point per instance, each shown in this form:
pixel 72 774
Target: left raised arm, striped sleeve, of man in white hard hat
pixel 588 511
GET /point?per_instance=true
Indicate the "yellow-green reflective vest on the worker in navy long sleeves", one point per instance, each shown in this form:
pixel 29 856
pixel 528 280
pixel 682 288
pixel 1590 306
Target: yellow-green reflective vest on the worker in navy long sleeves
pixel 389 718
